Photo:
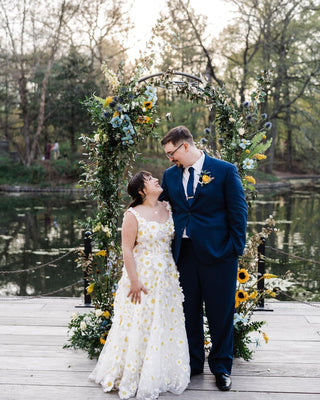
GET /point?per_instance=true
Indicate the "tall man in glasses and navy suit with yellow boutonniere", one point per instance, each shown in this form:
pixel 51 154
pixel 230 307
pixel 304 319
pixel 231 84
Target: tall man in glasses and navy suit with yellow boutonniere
pixel 210 213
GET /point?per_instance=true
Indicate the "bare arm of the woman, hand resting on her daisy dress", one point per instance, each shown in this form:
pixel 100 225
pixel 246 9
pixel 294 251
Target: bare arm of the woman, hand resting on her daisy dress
pixel 128 238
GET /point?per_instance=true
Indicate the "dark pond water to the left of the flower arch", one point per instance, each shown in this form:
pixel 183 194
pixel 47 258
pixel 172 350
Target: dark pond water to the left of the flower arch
pixel 34 230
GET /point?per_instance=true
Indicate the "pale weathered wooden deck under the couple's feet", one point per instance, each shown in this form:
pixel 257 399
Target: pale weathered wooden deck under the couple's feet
pixel 34 366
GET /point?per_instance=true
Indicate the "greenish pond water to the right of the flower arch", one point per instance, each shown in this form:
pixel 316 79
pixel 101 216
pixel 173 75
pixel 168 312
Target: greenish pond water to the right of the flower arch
pixel 297 216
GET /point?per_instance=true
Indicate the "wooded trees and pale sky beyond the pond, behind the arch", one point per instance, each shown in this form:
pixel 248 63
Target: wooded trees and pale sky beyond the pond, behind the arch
pixel 51 58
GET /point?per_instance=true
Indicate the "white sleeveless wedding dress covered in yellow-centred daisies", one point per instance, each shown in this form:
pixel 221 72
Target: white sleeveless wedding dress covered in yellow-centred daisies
pixel 146 352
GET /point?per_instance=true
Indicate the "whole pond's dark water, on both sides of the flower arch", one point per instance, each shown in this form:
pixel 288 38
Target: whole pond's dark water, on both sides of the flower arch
pixel 36 229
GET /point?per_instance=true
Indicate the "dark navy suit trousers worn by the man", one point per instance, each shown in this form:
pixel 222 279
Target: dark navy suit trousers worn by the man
pixel 214 285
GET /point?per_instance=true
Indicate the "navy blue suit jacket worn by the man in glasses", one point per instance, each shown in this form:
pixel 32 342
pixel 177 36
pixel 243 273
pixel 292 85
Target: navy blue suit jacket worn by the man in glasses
pixel 217 218
